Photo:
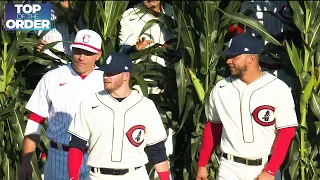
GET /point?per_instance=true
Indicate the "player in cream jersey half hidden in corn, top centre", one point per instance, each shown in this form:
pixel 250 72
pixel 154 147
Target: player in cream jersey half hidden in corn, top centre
pixel 133 39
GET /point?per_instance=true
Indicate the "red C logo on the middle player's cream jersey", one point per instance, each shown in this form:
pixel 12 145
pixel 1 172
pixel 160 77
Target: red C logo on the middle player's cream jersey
pixel 135 135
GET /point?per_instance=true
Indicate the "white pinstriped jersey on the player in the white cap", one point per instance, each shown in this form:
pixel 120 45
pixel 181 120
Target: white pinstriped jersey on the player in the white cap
pixel 57 97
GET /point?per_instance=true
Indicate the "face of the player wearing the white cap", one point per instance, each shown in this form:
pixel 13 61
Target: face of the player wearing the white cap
pixel 83 62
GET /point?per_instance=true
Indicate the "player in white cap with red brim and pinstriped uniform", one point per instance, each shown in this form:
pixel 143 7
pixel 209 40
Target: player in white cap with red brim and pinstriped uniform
pixel 57 97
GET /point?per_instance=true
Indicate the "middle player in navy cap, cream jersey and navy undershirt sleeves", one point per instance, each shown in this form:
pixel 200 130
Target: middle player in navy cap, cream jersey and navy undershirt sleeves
pixel 123 129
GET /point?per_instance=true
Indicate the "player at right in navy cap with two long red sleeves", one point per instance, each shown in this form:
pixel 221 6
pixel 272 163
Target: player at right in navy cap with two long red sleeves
pixel 252 112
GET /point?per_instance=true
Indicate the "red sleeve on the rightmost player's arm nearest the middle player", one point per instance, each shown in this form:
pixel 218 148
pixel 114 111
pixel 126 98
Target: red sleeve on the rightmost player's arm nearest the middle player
pixel 211 137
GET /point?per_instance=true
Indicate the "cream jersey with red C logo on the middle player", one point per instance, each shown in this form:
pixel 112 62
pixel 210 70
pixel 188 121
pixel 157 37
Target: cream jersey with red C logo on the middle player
pixel 118 132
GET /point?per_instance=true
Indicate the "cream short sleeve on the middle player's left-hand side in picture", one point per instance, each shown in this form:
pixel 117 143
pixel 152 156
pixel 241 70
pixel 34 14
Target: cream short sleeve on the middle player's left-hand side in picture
pixel 79 126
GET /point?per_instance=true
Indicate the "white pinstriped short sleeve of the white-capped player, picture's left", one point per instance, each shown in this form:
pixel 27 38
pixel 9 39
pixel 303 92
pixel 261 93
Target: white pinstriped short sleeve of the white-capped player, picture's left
pixel 39 101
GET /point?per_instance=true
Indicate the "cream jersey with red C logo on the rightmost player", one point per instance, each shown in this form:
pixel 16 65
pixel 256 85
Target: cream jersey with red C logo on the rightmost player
pixel 251 114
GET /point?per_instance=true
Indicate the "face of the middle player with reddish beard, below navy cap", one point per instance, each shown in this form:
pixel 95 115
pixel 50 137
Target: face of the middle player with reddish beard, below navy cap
pixel 113 82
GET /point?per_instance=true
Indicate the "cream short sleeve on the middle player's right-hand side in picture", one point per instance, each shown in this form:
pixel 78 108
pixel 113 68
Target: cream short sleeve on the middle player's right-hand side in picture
pixel 155 130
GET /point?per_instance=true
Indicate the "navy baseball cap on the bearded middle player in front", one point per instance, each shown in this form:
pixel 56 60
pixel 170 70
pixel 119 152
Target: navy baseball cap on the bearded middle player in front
pixel 116 63
